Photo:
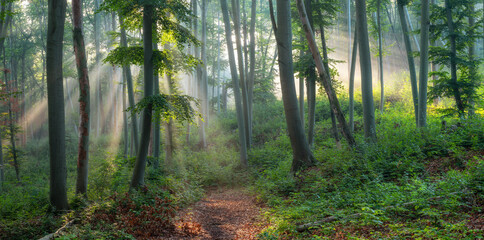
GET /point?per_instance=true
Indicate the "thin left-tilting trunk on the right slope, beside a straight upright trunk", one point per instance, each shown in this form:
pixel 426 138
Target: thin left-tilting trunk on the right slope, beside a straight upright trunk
pixel 411 64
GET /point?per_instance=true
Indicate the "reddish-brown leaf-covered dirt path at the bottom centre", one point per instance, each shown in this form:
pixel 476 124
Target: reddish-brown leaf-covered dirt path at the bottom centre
pixel 222 214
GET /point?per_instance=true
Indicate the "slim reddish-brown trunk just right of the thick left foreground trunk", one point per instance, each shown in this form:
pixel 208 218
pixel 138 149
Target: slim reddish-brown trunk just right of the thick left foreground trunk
pixel 84 103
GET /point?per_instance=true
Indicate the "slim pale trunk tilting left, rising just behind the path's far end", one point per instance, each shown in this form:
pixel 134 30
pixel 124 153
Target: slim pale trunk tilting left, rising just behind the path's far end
pixel 235 82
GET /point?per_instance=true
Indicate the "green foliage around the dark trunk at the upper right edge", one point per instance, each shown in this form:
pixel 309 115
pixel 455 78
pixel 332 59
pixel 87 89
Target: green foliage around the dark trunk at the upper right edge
pixel 468 80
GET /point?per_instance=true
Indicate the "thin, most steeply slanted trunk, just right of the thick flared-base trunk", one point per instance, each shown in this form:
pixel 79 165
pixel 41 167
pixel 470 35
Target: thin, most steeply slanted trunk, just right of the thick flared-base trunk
pixel 333 100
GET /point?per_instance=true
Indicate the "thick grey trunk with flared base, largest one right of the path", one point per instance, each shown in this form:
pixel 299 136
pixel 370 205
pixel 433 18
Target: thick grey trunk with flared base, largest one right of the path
pixel 302 155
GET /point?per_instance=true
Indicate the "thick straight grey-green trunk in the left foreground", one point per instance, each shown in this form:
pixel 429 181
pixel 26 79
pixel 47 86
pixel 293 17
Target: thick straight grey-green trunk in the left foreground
pixel 55 101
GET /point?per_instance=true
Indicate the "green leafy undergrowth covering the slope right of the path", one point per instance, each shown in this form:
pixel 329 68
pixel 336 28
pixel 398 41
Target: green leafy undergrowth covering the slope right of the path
pixel 411 184
